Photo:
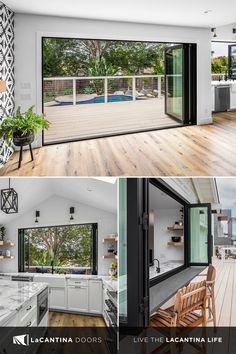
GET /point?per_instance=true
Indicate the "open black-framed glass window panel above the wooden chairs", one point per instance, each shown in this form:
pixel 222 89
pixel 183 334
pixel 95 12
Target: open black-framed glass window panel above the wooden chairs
pixel 198 236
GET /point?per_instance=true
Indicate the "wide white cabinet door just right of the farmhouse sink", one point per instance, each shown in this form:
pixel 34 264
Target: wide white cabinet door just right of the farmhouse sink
pixel 77 298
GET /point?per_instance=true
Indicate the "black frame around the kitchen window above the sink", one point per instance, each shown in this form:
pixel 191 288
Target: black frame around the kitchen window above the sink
pixel 21 254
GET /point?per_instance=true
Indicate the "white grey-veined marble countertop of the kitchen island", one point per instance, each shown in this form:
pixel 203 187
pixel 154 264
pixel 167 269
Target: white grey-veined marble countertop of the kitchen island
pixel 14 295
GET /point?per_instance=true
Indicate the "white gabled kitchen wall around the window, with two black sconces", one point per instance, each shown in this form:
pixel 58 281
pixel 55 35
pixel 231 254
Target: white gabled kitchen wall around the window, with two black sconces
pixel 55 211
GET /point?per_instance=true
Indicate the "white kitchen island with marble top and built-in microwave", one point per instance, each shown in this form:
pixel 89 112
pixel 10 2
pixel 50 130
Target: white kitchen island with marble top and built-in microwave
pixel 19 303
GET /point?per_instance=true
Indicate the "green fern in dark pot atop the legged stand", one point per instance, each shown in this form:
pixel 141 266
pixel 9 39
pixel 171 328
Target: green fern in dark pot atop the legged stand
pixel 21 128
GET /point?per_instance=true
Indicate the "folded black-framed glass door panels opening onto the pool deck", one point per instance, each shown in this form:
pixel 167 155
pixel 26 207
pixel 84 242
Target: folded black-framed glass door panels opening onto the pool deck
pixel 180 82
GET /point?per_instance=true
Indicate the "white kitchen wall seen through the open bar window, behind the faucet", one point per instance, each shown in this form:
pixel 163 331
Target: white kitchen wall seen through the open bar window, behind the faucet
pixel 162 219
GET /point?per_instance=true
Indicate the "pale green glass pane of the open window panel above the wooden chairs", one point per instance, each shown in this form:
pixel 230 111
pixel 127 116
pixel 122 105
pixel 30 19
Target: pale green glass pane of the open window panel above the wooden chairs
pixel 199 235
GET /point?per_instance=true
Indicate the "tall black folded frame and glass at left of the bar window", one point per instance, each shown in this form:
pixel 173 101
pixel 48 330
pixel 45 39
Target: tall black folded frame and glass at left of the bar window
pixel 133 246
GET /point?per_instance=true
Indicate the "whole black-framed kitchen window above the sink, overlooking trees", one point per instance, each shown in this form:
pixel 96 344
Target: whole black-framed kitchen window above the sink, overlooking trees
pixel 60 249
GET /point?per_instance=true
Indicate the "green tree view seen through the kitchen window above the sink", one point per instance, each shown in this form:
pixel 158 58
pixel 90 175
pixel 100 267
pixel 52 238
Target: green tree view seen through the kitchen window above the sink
pixel 64 245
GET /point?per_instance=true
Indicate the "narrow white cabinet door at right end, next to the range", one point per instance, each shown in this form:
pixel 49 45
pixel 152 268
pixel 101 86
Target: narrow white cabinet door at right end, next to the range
pixel 95 296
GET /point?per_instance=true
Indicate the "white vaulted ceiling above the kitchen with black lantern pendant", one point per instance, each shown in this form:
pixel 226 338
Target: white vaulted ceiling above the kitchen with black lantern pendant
pixel 33 191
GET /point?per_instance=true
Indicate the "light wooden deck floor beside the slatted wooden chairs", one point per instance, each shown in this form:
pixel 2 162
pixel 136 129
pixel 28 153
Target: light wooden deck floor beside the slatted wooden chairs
pixel 225 290
